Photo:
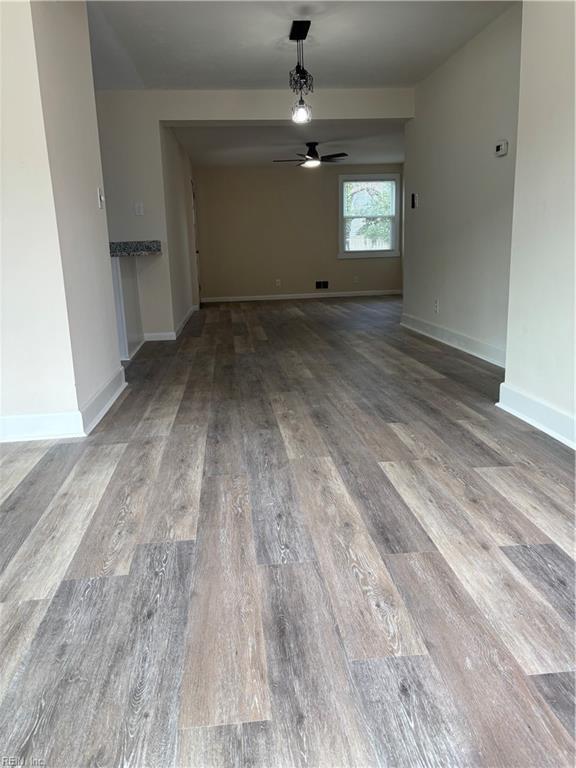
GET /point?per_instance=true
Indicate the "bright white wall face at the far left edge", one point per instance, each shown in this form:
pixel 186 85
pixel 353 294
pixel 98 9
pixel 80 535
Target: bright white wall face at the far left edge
pixel 37 371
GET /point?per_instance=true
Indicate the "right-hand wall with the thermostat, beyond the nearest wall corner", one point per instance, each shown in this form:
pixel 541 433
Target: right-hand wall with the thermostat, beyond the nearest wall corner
pixel 457 242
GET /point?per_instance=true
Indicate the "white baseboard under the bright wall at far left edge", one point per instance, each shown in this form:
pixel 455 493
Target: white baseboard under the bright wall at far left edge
pixel 41 426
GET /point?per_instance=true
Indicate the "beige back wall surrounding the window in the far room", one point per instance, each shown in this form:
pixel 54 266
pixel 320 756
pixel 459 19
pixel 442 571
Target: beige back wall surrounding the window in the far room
pixel 262 224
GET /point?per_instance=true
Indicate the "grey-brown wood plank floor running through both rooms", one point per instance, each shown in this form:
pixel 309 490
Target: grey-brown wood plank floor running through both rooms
pixel 303 538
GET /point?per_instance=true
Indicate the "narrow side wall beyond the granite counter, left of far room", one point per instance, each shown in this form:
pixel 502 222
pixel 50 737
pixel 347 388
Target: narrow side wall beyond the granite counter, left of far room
pixel 177 182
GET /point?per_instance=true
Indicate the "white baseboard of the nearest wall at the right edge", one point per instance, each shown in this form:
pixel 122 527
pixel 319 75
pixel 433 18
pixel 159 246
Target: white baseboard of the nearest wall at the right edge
pixel 554 422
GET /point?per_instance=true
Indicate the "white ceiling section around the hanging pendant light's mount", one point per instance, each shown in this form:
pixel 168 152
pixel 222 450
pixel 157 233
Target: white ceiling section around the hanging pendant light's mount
pixel 221 45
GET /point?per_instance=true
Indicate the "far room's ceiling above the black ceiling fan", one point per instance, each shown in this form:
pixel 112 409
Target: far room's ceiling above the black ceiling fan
pixel 258 143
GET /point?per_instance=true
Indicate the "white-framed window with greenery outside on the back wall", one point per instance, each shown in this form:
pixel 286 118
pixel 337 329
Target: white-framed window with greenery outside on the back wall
pixel 369 216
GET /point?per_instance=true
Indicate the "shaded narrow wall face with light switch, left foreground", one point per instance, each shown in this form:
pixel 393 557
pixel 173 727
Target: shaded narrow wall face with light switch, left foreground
pixel 66 84
